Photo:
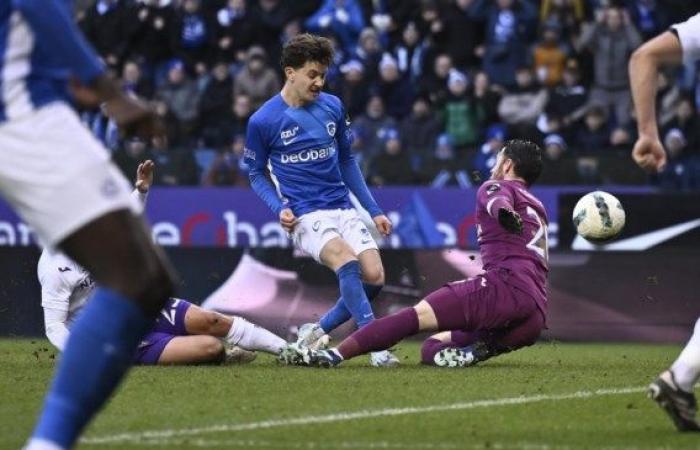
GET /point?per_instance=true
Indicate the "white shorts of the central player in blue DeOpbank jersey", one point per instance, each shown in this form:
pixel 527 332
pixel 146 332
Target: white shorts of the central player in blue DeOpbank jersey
pixel 315 229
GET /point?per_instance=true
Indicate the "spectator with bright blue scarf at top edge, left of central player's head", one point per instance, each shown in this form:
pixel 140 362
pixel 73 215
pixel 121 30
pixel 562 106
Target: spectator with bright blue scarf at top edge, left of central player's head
pixel 193 36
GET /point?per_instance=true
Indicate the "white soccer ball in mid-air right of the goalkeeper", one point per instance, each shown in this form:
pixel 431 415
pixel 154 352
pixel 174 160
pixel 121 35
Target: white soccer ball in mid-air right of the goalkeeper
pixel 598 217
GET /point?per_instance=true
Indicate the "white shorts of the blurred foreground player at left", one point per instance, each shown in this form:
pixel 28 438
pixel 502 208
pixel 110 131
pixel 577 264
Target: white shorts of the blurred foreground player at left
pixel 56 175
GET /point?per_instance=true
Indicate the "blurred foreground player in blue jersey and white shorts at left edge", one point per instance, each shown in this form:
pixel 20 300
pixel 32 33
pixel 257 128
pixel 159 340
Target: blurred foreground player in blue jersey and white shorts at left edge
pixel 60 180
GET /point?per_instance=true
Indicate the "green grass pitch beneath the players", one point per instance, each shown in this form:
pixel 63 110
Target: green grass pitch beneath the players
pixel 552 396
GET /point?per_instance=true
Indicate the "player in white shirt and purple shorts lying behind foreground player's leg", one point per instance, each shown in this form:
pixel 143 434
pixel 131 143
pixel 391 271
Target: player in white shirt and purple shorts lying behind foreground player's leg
pixel 183 333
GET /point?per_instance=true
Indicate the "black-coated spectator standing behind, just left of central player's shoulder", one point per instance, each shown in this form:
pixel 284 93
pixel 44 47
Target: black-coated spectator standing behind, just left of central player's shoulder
pixel 215 107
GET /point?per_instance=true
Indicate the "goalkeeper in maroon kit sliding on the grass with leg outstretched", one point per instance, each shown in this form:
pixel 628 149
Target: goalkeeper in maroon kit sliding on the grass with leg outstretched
pixel 502 309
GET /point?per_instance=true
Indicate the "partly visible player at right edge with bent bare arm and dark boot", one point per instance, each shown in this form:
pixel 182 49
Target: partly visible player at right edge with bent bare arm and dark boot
pixel 673 389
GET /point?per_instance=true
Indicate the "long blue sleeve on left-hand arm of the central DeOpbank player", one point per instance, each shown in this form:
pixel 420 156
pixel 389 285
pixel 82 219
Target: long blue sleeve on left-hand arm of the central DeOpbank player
pixel 256 155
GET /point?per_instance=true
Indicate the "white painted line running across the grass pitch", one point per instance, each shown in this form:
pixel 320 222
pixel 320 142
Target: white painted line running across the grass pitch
pixel 347 416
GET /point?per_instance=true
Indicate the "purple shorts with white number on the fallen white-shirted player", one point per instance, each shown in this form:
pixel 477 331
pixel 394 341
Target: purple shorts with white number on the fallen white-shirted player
pixel 169 324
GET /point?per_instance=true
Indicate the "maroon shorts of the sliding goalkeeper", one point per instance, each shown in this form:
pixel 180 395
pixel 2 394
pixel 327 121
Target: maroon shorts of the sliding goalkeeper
pixel 487 302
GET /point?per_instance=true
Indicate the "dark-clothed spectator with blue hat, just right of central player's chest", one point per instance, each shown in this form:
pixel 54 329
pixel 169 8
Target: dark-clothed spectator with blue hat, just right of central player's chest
pixel 392 166
